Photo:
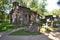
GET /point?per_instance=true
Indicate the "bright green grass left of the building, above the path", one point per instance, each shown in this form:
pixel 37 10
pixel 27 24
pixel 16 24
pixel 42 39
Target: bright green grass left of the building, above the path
pixel 5 26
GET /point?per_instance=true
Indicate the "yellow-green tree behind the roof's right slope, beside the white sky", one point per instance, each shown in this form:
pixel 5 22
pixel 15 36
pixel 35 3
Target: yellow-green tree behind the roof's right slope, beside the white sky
pixel 38 6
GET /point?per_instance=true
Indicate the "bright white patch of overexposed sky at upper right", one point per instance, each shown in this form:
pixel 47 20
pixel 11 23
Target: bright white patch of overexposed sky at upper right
pixel 52 4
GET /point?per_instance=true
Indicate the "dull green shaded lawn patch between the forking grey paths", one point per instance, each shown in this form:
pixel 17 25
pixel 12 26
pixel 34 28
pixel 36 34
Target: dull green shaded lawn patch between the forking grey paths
pixel 23 32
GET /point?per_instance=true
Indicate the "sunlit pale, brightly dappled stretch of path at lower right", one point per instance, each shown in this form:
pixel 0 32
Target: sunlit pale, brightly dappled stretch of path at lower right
pixel 55 35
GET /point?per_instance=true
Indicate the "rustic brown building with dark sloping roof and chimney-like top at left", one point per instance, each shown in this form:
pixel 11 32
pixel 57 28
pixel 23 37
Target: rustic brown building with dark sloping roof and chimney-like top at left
pixel 21 15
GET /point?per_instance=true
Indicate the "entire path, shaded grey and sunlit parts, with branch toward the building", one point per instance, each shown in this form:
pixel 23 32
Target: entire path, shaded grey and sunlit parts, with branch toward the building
pixel 53 35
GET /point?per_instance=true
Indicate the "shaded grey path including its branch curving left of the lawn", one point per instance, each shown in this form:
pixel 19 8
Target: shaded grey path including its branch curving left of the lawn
pixel 6 36
